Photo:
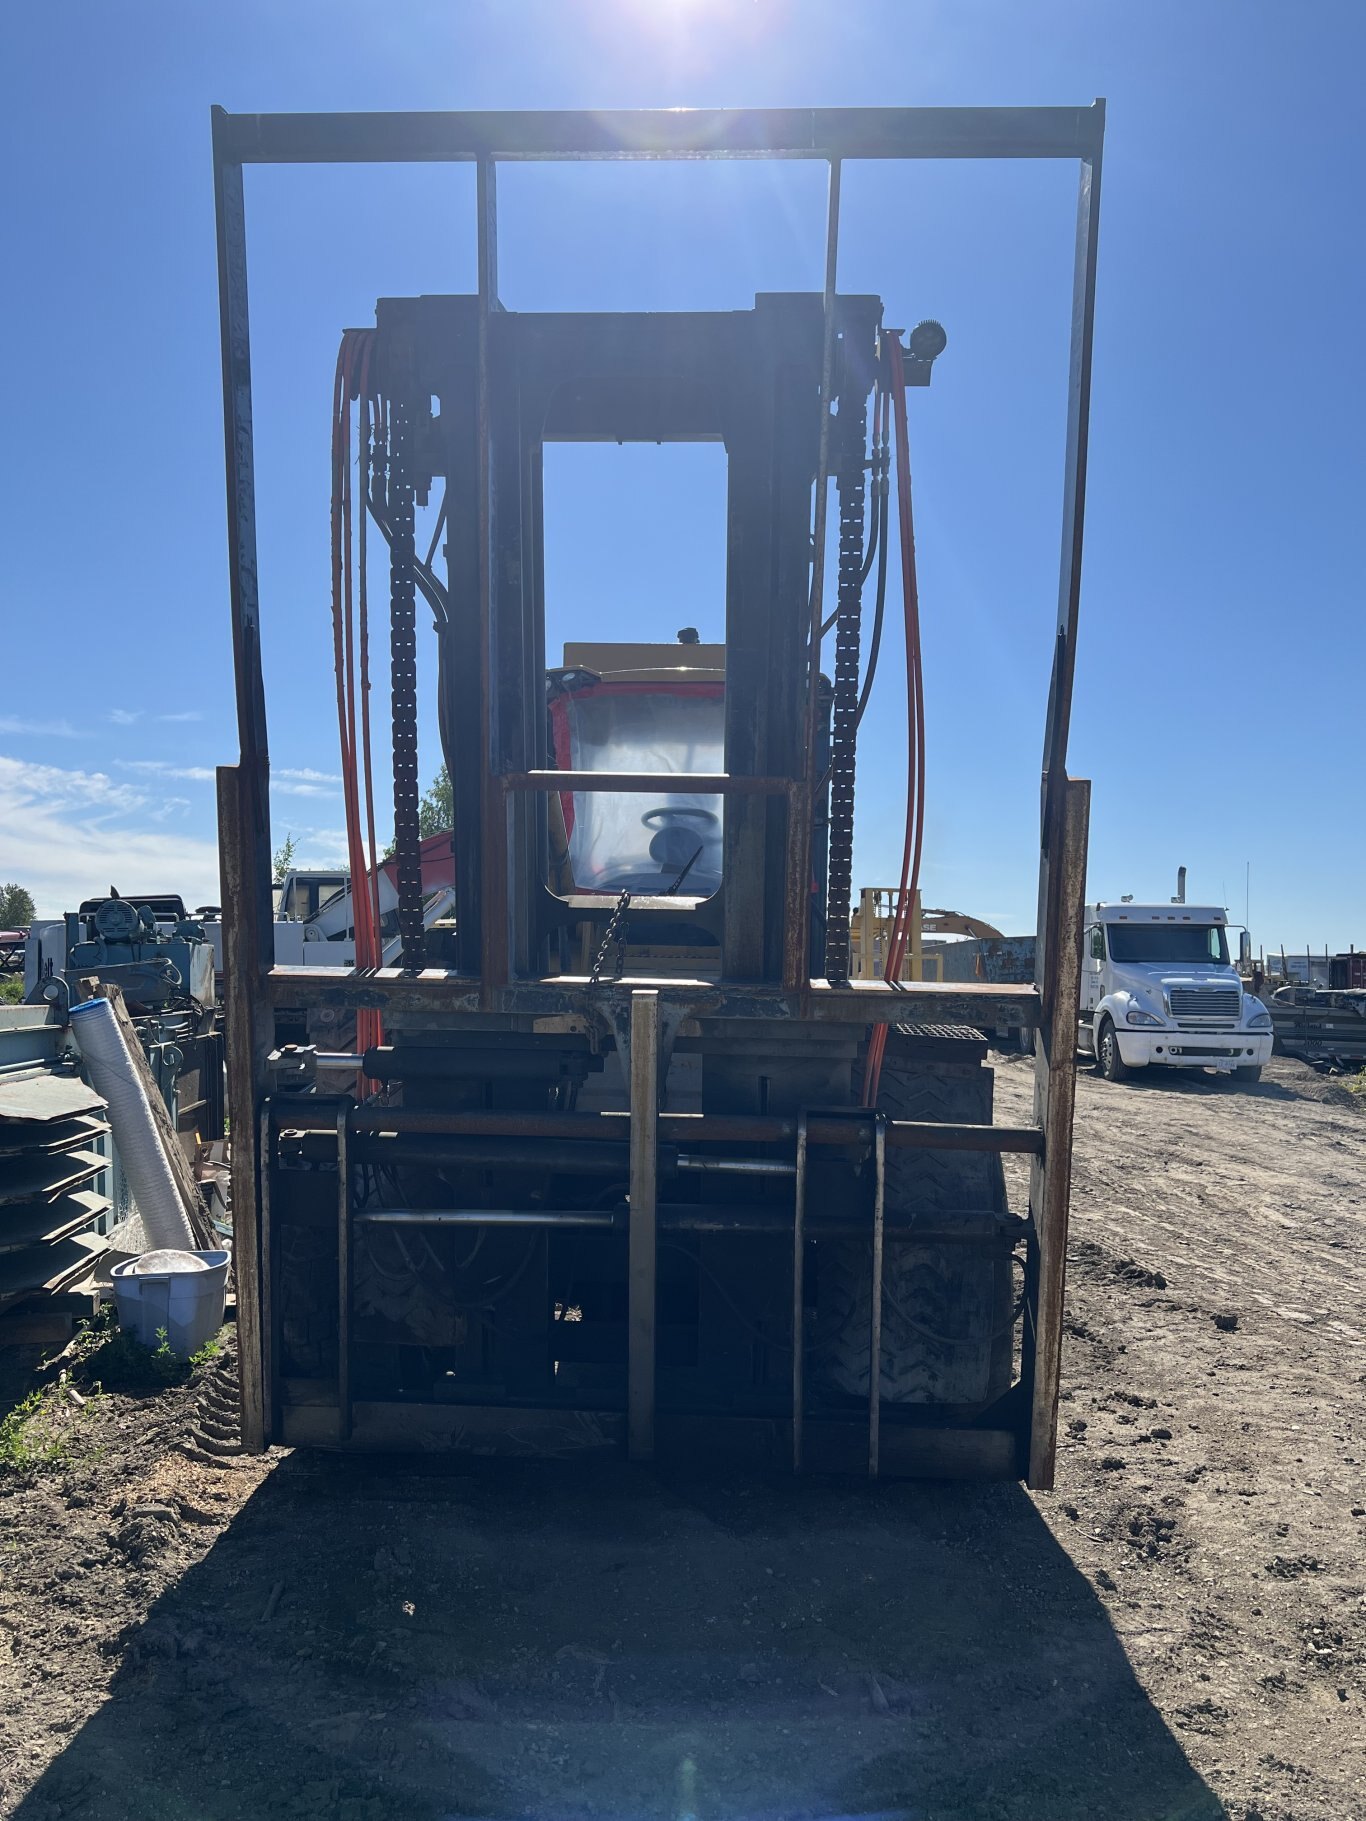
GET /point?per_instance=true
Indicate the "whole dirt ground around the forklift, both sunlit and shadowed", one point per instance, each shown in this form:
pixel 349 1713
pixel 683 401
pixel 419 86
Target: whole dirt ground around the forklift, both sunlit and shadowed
pixel 1179 1633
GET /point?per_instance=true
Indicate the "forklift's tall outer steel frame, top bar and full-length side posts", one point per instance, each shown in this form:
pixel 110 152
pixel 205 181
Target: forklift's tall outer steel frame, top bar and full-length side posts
pixel 487 139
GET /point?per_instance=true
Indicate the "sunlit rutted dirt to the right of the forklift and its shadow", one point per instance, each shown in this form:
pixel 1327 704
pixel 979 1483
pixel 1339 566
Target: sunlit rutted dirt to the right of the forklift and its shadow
pixel 1212 1476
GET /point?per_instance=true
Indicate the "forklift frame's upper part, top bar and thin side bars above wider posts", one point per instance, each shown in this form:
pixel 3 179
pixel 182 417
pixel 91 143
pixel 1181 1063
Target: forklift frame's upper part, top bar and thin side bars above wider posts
pixel 487 139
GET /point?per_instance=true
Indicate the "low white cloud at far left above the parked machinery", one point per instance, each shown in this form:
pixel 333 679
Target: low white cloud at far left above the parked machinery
pixel 68 835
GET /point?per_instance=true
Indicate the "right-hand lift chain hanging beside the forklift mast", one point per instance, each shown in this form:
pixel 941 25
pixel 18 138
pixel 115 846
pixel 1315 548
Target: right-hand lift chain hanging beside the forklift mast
pixel 844 707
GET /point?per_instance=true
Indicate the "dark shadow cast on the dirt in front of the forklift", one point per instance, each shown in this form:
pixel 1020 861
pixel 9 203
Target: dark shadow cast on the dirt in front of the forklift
pixel 380 1640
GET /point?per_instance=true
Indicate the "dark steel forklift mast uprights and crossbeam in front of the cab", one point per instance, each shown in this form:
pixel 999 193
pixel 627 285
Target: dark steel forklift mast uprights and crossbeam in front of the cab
pixel 746 380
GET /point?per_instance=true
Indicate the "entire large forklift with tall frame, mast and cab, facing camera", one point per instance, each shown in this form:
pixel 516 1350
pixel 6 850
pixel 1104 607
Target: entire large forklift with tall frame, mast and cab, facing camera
pixel 631 1165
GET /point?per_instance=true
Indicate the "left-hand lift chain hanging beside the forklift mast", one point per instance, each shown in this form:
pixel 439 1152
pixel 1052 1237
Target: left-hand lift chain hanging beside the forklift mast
pixel 403 680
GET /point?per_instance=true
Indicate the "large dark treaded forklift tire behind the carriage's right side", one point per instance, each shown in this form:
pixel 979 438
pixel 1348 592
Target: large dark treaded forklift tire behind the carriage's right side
pixel 946 1310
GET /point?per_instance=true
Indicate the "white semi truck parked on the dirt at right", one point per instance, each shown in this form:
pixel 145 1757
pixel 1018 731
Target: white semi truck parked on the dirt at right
pixel 1159 992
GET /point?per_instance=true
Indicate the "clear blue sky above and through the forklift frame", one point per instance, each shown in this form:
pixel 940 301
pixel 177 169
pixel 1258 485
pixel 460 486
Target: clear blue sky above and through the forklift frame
pixel 1223 620
